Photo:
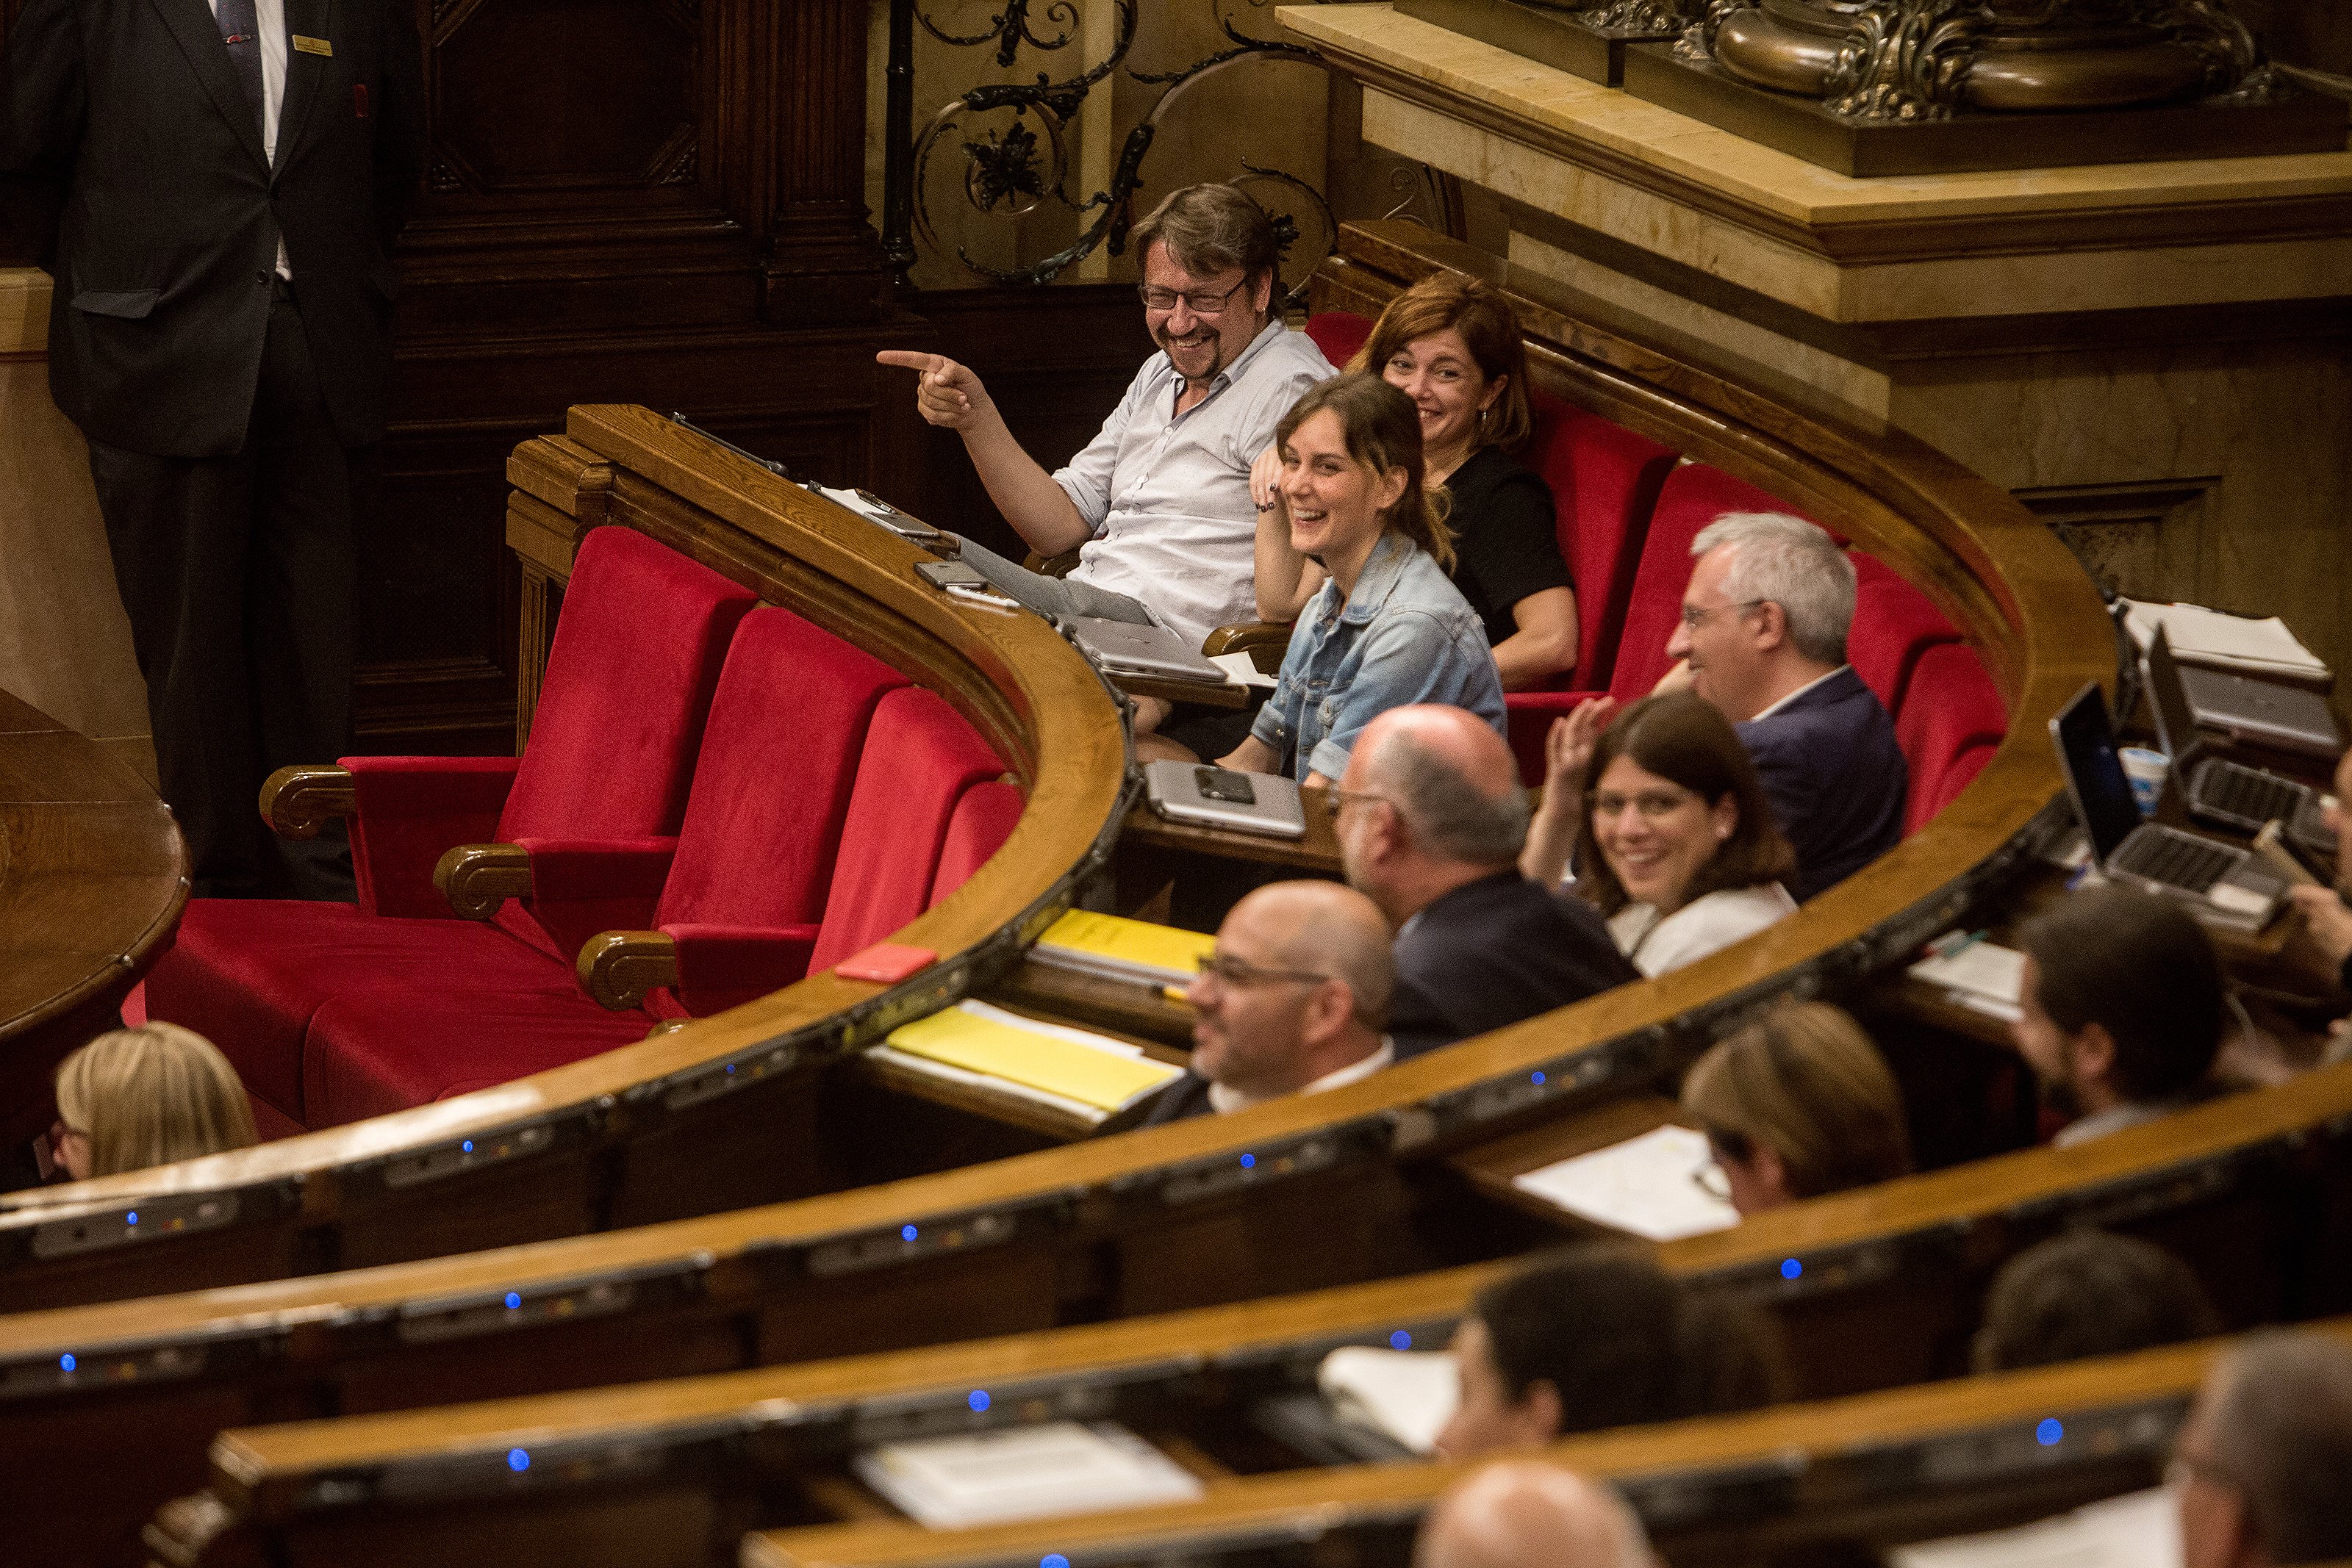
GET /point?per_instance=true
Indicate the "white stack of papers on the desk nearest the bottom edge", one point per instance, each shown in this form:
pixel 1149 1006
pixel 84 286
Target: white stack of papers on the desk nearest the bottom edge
pixel 1024 1473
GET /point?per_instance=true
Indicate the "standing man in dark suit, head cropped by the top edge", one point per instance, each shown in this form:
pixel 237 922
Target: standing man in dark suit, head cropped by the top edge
pixel 215 187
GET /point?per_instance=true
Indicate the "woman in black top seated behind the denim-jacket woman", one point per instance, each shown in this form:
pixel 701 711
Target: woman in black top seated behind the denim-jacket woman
pixel 1452 344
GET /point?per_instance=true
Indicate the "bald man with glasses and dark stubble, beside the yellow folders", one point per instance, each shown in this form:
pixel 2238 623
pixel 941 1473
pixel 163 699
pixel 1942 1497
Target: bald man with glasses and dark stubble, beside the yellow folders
pixel 1292 1000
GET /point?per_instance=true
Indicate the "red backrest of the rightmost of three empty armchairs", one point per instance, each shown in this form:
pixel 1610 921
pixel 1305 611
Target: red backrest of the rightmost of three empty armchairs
pixel 921 758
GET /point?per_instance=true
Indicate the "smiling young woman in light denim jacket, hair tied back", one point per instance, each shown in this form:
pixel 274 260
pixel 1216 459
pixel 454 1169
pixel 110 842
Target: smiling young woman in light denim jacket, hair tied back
pixel 1389 626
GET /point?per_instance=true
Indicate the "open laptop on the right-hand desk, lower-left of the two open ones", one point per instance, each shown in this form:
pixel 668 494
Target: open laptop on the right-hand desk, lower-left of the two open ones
pixel 2226 885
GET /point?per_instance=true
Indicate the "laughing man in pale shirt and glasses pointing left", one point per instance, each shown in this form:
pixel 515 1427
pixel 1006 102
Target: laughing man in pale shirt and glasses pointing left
pixel 1158 504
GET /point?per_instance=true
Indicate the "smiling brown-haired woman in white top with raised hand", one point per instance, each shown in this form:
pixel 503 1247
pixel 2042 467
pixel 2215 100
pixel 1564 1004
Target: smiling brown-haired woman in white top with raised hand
pixel 1673 838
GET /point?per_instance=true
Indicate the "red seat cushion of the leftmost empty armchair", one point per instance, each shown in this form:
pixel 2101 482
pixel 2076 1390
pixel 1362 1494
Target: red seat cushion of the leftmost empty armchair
pixel 250 974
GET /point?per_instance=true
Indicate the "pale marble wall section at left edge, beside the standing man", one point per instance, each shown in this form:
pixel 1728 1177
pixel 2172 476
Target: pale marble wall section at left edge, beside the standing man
pixel 65 641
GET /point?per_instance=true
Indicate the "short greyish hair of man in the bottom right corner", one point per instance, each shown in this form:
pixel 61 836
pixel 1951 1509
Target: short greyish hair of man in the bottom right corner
pixel 2283 1430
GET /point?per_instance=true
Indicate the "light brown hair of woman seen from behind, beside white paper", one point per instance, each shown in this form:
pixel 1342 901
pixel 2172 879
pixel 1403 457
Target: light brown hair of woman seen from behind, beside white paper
pixel 1808 1085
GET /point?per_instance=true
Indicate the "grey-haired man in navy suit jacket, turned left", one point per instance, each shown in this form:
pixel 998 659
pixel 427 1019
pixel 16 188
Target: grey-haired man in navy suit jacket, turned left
pixel 1765 638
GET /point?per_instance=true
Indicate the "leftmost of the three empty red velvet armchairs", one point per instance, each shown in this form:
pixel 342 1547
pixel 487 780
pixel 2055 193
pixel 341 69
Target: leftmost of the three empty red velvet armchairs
pixel 622 711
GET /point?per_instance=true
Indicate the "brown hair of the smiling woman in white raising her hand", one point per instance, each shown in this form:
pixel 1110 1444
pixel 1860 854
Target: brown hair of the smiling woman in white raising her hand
pixel 1688 742
